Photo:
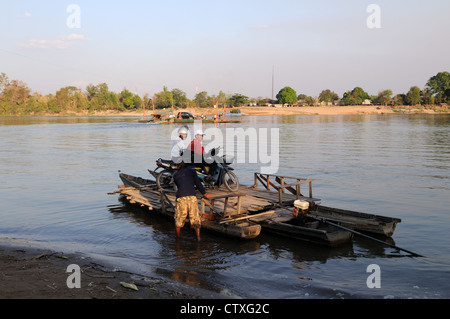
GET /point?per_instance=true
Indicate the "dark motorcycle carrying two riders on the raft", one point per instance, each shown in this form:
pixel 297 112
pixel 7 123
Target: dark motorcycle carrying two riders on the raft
pixel 222 175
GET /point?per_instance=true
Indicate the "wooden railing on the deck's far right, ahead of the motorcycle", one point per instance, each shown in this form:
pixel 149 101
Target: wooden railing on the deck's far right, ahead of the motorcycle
pixel 268 180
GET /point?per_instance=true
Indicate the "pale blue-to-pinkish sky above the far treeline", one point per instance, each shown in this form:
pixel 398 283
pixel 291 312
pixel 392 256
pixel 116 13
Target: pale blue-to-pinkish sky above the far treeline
pixel 224 45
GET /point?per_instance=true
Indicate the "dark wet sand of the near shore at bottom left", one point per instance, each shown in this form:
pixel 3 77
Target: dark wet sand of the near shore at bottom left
pixel 35 273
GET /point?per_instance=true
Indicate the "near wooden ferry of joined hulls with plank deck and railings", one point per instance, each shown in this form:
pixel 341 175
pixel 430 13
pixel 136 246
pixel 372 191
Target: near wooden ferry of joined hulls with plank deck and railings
pixel 252 210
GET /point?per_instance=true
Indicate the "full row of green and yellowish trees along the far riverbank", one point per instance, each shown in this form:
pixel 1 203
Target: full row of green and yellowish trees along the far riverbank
pixel 16 98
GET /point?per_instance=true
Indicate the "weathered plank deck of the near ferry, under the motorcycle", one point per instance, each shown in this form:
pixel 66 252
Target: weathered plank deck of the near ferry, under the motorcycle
pixel 226 212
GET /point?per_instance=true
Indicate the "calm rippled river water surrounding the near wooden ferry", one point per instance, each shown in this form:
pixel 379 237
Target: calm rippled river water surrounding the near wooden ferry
pixel 56 172
